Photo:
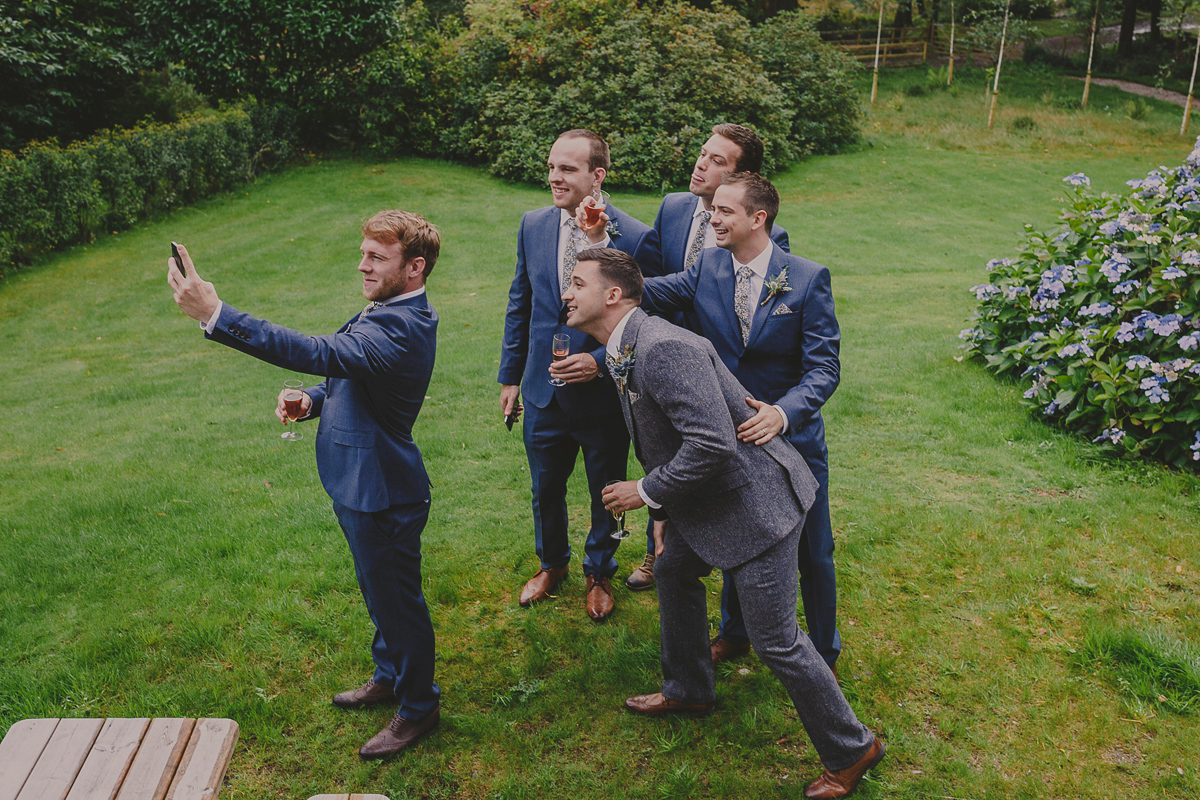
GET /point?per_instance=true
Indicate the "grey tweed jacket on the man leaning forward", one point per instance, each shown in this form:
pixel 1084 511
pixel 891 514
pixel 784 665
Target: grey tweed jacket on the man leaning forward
pixel 730 501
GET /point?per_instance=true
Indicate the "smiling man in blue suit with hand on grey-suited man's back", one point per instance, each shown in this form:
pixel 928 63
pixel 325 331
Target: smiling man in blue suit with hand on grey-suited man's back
pixel 771 318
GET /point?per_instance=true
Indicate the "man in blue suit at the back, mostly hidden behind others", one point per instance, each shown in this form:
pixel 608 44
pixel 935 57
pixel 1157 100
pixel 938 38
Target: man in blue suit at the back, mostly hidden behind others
pixel 682 232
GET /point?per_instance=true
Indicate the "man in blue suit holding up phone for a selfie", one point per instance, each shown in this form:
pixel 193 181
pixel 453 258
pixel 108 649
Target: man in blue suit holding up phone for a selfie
pixel 379 369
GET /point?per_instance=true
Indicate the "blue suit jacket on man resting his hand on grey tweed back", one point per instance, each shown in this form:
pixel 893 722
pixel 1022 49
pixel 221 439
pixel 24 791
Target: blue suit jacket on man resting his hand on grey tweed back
pixel 791 359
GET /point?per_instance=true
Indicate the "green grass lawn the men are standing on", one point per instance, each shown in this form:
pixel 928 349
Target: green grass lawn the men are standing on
pixel 165 554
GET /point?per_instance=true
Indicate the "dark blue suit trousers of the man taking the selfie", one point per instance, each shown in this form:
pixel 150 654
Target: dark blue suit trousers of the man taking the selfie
pixel 387 550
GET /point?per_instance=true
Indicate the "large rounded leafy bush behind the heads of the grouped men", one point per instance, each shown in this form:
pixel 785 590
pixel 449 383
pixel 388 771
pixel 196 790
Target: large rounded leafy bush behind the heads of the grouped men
pixel 651 79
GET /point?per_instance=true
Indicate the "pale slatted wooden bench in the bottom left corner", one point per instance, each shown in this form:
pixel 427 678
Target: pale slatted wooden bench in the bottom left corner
pixel 116 760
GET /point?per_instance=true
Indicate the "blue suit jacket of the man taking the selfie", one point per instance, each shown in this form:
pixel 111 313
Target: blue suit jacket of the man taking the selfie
pixel 379 371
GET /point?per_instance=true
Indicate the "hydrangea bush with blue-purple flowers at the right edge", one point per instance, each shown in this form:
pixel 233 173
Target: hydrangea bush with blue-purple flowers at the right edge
pixel 1101 317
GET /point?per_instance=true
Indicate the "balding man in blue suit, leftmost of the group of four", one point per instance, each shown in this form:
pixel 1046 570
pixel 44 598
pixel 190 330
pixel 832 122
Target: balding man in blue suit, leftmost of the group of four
pixel 584 414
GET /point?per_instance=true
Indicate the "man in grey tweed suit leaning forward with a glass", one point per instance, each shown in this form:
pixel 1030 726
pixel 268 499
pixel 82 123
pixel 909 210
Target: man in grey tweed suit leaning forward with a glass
pixel 722 503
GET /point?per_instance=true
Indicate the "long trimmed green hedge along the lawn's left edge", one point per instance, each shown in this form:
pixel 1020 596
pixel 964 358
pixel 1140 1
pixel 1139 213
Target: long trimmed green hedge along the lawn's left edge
pixel 52 197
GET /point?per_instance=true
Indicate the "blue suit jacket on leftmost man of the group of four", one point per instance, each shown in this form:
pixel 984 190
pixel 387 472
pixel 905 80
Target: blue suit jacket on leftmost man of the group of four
pixel 537 312
